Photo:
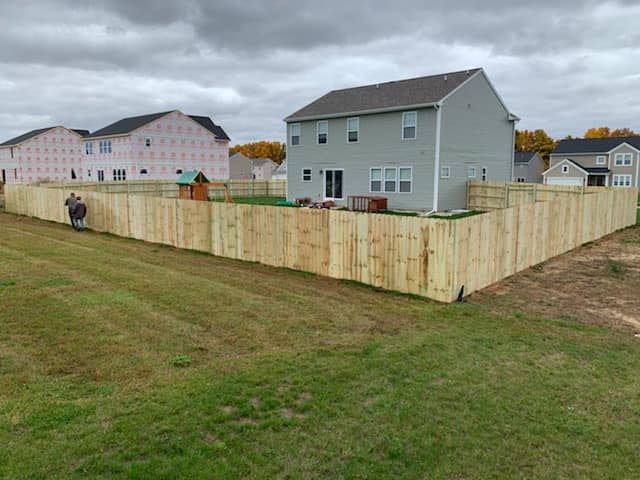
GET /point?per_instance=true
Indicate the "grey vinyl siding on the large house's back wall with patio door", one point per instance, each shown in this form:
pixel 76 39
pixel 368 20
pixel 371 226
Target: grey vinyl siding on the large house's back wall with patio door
pixel 380 145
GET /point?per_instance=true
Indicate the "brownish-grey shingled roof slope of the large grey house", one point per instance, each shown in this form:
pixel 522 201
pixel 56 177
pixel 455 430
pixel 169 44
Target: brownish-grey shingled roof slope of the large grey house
pixel 402 93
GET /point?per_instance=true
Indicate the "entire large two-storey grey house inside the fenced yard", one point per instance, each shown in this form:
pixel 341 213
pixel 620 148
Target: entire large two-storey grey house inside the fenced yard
pixel 416 142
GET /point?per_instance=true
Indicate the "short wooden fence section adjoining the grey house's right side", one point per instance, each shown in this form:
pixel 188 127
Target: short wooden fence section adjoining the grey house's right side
pixel 498 195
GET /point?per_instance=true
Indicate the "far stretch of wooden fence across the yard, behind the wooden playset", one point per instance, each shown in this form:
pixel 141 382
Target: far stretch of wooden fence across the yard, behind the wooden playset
pixel 169 189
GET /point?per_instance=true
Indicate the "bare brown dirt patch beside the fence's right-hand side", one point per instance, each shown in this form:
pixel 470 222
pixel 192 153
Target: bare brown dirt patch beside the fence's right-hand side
pixel 597 284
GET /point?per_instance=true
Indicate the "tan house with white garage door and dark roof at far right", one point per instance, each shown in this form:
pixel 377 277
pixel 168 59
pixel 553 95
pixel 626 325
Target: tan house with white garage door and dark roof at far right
pixel 595 162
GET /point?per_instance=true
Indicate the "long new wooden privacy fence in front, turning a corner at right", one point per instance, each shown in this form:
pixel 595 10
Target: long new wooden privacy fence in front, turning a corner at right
pixel 434 258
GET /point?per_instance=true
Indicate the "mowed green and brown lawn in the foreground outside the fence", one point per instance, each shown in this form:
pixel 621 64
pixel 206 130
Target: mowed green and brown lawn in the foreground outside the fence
pixel 289 375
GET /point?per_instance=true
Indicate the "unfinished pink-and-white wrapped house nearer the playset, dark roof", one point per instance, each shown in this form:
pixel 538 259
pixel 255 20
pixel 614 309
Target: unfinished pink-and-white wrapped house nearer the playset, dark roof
pixel 157 146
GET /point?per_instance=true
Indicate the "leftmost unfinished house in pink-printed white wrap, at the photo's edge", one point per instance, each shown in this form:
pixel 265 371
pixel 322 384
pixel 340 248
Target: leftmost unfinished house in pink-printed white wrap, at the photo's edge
pixel 52 153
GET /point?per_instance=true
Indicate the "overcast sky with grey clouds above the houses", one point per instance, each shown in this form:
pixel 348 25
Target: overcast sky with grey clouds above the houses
pixel 559 65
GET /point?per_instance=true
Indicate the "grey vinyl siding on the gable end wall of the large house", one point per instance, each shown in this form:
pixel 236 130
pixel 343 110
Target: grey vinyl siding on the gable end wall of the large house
pixel 476 132
